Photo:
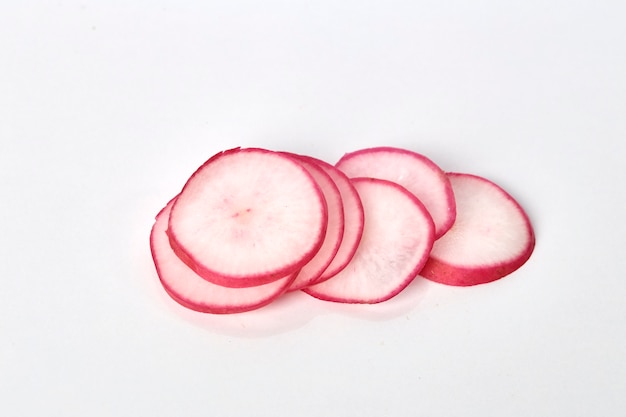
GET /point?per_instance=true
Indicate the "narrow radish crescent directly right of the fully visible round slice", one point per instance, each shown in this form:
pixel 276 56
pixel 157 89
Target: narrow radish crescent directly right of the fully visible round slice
pixel 334 231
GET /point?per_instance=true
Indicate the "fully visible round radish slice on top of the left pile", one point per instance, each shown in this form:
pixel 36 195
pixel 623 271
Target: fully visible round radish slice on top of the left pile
pixel 248 217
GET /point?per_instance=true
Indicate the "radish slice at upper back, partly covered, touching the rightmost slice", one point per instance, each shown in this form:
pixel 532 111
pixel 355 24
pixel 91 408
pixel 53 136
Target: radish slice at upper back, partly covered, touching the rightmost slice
pixel 415 172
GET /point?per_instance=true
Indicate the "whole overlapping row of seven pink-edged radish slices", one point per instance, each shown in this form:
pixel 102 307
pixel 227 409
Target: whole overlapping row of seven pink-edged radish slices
pixel 251 224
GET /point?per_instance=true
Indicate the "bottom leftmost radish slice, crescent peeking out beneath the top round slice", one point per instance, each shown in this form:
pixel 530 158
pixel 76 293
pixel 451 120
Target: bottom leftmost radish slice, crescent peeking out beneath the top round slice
pixel 195 292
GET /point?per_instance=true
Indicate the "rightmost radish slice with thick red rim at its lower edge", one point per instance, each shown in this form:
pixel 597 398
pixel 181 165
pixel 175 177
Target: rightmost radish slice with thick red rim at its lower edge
pixel 491 238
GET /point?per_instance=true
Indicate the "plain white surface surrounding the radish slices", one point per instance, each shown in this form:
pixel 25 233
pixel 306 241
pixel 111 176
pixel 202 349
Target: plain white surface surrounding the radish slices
pixel 107 107
